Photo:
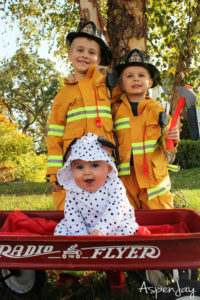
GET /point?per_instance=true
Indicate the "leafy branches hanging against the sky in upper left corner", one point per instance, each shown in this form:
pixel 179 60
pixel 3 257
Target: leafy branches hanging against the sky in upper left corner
pixel 40 20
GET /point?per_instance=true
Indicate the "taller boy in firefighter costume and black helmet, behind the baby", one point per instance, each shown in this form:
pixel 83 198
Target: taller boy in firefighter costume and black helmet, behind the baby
pixel 83 105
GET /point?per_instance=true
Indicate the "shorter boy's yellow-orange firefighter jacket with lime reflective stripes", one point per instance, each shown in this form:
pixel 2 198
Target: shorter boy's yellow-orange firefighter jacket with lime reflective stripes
pixel 139 135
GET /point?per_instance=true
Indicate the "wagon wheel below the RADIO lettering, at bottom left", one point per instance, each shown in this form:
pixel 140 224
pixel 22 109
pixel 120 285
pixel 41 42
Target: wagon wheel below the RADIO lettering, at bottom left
pixel 23 281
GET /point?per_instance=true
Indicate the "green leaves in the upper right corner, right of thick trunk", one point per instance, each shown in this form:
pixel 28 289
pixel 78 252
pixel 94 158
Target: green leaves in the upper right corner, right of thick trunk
pixel 173 32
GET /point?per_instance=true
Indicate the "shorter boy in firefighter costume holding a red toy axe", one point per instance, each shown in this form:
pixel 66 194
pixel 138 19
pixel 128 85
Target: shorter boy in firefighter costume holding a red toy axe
pixel 140 125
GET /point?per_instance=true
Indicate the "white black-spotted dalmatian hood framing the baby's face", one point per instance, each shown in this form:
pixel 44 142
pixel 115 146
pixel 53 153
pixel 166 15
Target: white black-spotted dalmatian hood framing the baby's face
pixel 88 149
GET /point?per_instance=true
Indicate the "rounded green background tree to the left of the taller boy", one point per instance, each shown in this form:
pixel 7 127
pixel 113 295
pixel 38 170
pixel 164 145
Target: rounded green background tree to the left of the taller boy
pixel 28 86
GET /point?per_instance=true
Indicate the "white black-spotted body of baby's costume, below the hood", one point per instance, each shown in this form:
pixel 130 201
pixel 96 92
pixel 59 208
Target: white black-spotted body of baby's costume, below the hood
pixel 112 216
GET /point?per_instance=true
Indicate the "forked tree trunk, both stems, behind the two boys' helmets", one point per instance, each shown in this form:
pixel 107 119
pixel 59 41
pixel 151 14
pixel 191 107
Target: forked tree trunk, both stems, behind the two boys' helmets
pixel 126 25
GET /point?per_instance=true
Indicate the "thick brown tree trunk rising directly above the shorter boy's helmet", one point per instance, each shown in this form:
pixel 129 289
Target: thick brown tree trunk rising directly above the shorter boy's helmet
pixel 126 27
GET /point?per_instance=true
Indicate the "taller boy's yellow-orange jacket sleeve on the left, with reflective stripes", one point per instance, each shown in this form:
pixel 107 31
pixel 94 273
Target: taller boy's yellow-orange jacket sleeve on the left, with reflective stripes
pixel 56 131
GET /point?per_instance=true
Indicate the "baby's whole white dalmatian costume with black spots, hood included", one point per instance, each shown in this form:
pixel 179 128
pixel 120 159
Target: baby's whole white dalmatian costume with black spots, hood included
pixel 107 210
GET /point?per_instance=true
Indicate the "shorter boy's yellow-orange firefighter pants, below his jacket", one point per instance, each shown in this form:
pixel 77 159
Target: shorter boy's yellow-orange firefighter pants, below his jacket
pixel 138 196
